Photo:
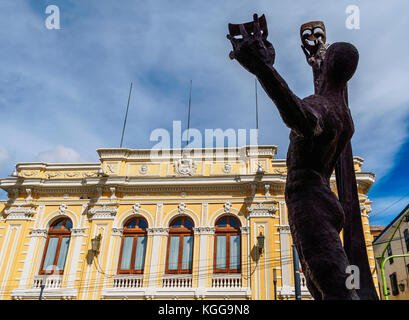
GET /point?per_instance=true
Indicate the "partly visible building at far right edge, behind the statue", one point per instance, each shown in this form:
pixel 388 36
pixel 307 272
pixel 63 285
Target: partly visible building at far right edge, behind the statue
pixel 396 269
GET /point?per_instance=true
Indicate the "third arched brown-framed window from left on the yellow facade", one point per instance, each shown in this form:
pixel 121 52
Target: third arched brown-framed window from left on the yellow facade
pixel 180 246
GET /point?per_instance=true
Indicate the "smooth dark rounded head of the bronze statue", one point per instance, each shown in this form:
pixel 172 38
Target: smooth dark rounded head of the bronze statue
pixel 340 63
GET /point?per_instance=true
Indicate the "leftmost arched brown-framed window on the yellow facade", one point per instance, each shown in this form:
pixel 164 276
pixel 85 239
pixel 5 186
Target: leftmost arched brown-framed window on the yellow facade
pixel 56 247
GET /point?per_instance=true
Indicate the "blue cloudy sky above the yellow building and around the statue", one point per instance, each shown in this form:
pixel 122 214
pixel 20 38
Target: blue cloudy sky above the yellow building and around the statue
pixel 63 92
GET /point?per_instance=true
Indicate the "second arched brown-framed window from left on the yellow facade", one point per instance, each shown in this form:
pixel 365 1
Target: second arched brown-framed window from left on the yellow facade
pixel 133 248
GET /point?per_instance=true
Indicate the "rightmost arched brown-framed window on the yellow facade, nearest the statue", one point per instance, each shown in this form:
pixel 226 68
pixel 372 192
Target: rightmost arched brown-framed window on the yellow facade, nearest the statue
pixel 227 245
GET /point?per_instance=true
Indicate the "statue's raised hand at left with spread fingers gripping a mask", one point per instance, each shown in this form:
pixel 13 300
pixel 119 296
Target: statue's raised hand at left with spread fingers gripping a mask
pixel 252 51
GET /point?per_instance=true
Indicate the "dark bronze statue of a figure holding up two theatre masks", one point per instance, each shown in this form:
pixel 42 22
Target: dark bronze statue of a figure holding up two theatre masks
pixel 321 129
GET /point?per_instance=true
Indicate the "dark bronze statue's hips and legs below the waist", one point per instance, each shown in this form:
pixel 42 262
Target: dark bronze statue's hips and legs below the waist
pixel 316 218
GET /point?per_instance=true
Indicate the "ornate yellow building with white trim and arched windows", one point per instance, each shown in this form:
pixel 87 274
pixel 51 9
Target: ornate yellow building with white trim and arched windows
pixel 163 226
